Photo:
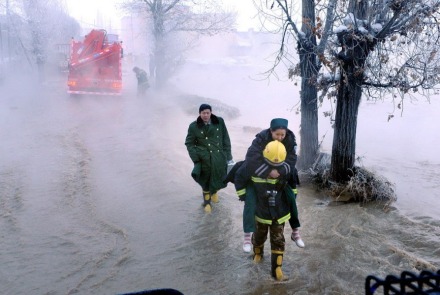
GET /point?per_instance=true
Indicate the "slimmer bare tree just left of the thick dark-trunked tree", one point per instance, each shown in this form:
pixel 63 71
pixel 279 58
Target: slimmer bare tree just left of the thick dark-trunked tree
pixel 282 15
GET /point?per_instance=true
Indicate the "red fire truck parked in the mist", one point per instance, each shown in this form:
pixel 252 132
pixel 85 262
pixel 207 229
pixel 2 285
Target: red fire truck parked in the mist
pixel 95 65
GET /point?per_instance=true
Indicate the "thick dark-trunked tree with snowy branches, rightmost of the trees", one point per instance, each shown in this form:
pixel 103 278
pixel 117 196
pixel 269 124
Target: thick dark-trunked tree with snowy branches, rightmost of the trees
pixel 385 47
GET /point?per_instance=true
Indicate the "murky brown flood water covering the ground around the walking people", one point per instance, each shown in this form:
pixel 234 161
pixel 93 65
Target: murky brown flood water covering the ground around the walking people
pixel 96 195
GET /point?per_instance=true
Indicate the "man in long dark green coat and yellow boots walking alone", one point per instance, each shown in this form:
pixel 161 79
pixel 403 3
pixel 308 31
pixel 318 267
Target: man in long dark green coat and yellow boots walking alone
pixel 209 148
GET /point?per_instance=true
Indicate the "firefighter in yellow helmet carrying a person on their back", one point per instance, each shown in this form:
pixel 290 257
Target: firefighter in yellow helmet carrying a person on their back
pixel 273 206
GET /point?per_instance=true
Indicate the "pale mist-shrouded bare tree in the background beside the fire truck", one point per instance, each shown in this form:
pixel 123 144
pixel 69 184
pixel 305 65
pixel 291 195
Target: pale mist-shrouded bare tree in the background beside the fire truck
pixel 170 18
